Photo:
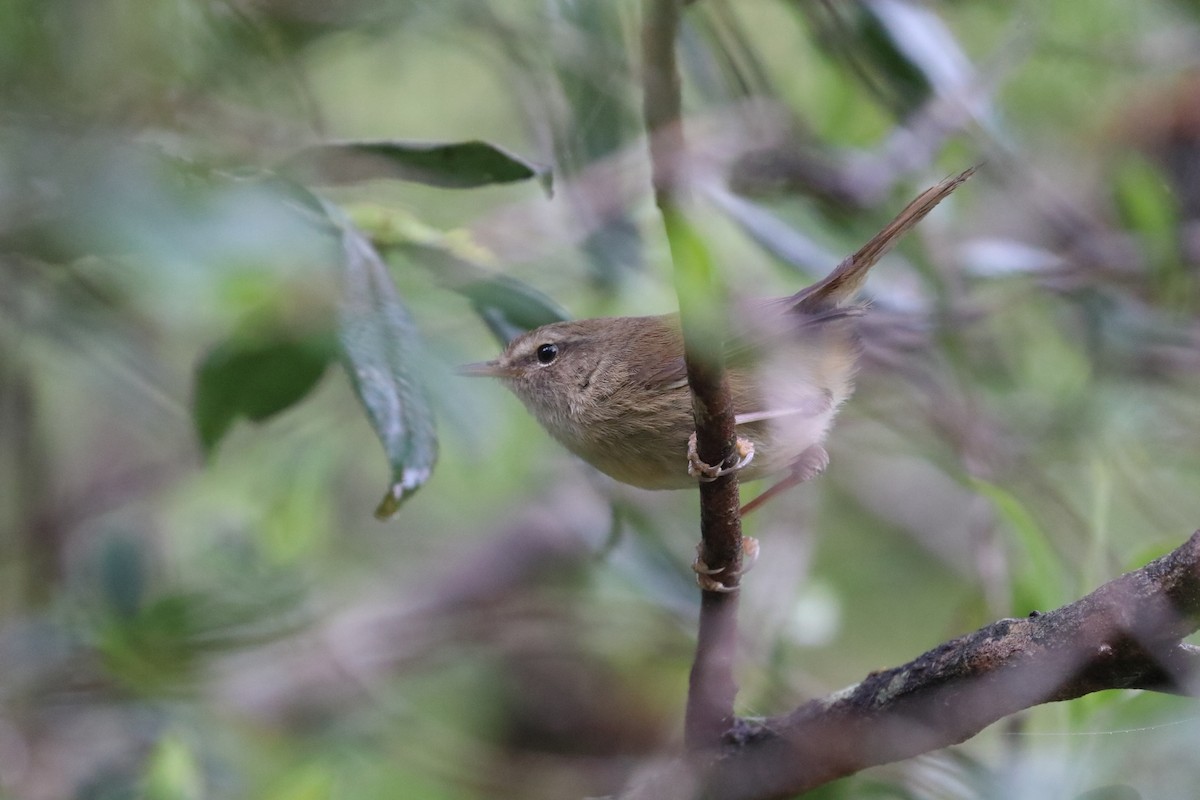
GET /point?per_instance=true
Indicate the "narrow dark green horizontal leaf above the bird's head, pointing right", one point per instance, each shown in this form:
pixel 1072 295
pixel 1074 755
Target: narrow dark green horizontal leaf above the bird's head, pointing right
pixel 455 165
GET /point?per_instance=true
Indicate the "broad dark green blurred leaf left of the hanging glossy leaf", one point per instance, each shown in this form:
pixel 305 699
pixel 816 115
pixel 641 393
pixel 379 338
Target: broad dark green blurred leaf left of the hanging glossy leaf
pixel 255 377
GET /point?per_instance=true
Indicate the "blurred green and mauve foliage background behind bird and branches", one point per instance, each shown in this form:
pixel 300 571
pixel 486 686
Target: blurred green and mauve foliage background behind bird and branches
pixel 196 607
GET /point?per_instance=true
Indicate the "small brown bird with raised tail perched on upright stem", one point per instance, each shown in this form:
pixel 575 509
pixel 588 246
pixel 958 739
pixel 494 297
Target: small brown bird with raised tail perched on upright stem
pixel 615 390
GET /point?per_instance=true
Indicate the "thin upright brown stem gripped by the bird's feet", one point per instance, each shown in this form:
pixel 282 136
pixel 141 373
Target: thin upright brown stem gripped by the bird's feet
pixel 712 689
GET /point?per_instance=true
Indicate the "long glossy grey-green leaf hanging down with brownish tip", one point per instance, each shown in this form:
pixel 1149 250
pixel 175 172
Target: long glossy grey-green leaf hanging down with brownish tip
pixel 380 348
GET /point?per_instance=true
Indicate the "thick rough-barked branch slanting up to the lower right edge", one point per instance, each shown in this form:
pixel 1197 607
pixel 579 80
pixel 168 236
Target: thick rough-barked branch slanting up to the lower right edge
pixel 1125 635
